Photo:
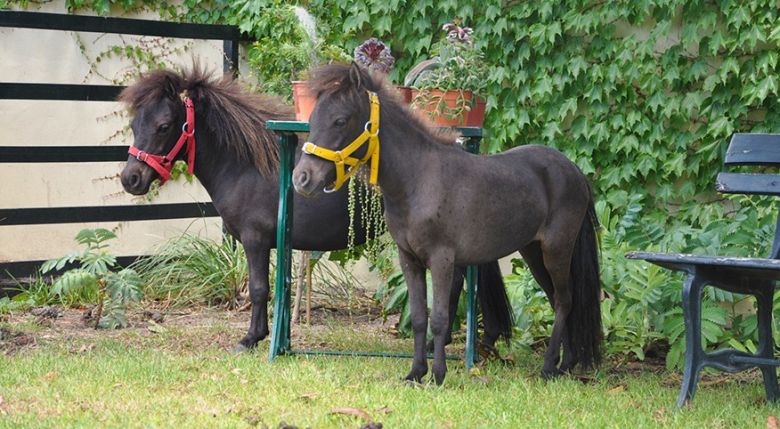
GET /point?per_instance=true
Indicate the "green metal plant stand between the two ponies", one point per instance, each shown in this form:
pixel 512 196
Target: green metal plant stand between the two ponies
pixel 280 336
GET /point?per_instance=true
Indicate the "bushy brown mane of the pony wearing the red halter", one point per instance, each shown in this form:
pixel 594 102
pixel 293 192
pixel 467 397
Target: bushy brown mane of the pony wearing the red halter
pixel 235 118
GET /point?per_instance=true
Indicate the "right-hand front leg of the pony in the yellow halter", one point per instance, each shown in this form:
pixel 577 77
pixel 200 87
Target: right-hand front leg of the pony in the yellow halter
pixel 441 272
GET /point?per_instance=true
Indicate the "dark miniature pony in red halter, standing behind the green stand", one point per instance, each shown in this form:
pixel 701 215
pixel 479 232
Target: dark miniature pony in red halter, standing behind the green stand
pixel 236 160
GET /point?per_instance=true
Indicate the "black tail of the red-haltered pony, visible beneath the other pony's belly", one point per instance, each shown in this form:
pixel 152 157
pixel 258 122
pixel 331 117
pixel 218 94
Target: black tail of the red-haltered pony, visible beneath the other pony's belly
pixel 496 309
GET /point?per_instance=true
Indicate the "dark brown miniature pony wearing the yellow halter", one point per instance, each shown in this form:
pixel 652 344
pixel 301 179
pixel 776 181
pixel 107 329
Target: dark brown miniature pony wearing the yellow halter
pixel 446 207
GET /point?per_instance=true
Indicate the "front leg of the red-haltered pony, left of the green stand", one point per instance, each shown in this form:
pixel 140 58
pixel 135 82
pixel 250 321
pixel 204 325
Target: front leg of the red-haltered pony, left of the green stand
pixel 257 260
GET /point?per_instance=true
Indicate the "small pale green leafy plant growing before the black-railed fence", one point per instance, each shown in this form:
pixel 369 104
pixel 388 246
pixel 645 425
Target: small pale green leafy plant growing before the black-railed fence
pixel 96 280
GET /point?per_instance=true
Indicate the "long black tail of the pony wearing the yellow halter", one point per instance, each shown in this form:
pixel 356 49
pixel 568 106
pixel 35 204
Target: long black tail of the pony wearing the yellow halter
pixel 583 325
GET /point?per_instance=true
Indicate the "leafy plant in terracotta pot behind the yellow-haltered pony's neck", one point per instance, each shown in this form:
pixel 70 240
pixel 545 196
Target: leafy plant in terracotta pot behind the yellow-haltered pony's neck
pixel 449 90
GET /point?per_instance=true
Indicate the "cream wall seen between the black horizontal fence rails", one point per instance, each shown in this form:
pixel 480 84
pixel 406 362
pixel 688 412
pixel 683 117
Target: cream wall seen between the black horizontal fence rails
pixel 44 56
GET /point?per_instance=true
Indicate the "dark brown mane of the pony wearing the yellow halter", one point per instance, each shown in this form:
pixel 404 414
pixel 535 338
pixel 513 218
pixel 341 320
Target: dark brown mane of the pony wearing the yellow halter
pixel 351 82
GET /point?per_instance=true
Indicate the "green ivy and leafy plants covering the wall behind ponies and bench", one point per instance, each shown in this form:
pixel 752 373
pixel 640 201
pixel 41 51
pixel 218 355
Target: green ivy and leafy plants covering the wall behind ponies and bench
pixel 643 95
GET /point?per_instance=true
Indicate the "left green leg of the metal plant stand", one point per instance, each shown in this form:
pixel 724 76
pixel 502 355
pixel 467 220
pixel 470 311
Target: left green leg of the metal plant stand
pixel 280 338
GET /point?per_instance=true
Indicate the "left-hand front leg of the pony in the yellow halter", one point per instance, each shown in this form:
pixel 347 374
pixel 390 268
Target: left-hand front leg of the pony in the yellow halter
pixel 414 274
